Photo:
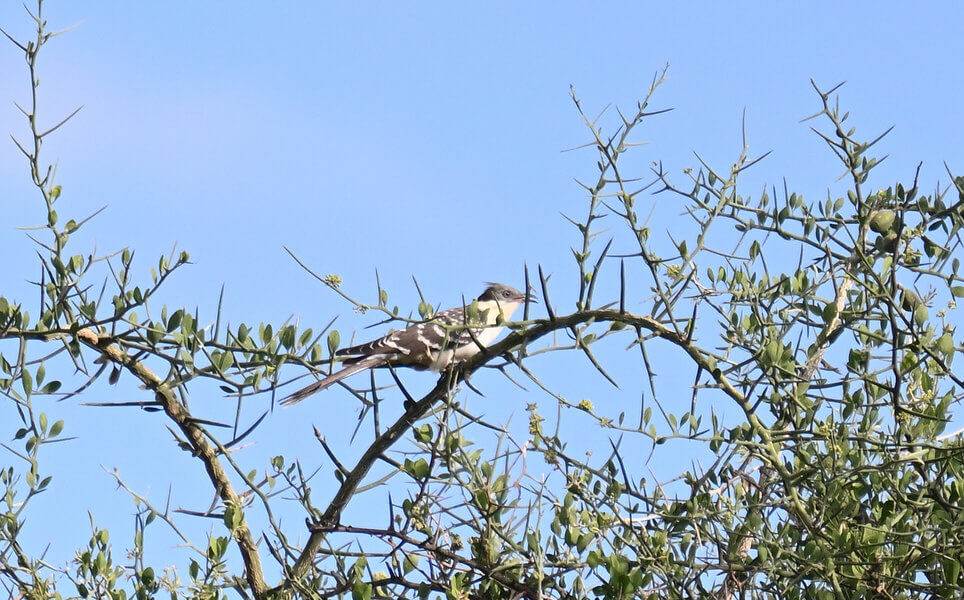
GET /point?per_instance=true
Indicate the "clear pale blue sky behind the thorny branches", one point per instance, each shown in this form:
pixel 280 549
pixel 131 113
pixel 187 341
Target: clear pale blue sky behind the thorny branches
pixel 421 139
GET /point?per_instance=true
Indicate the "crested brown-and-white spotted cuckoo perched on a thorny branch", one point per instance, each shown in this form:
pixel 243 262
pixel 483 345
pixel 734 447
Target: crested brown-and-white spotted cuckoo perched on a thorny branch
pixel 448 337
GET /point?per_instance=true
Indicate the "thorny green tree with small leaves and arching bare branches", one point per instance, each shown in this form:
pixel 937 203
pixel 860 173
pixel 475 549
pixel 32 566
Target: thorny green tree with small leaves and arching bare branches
pixel 835 479
